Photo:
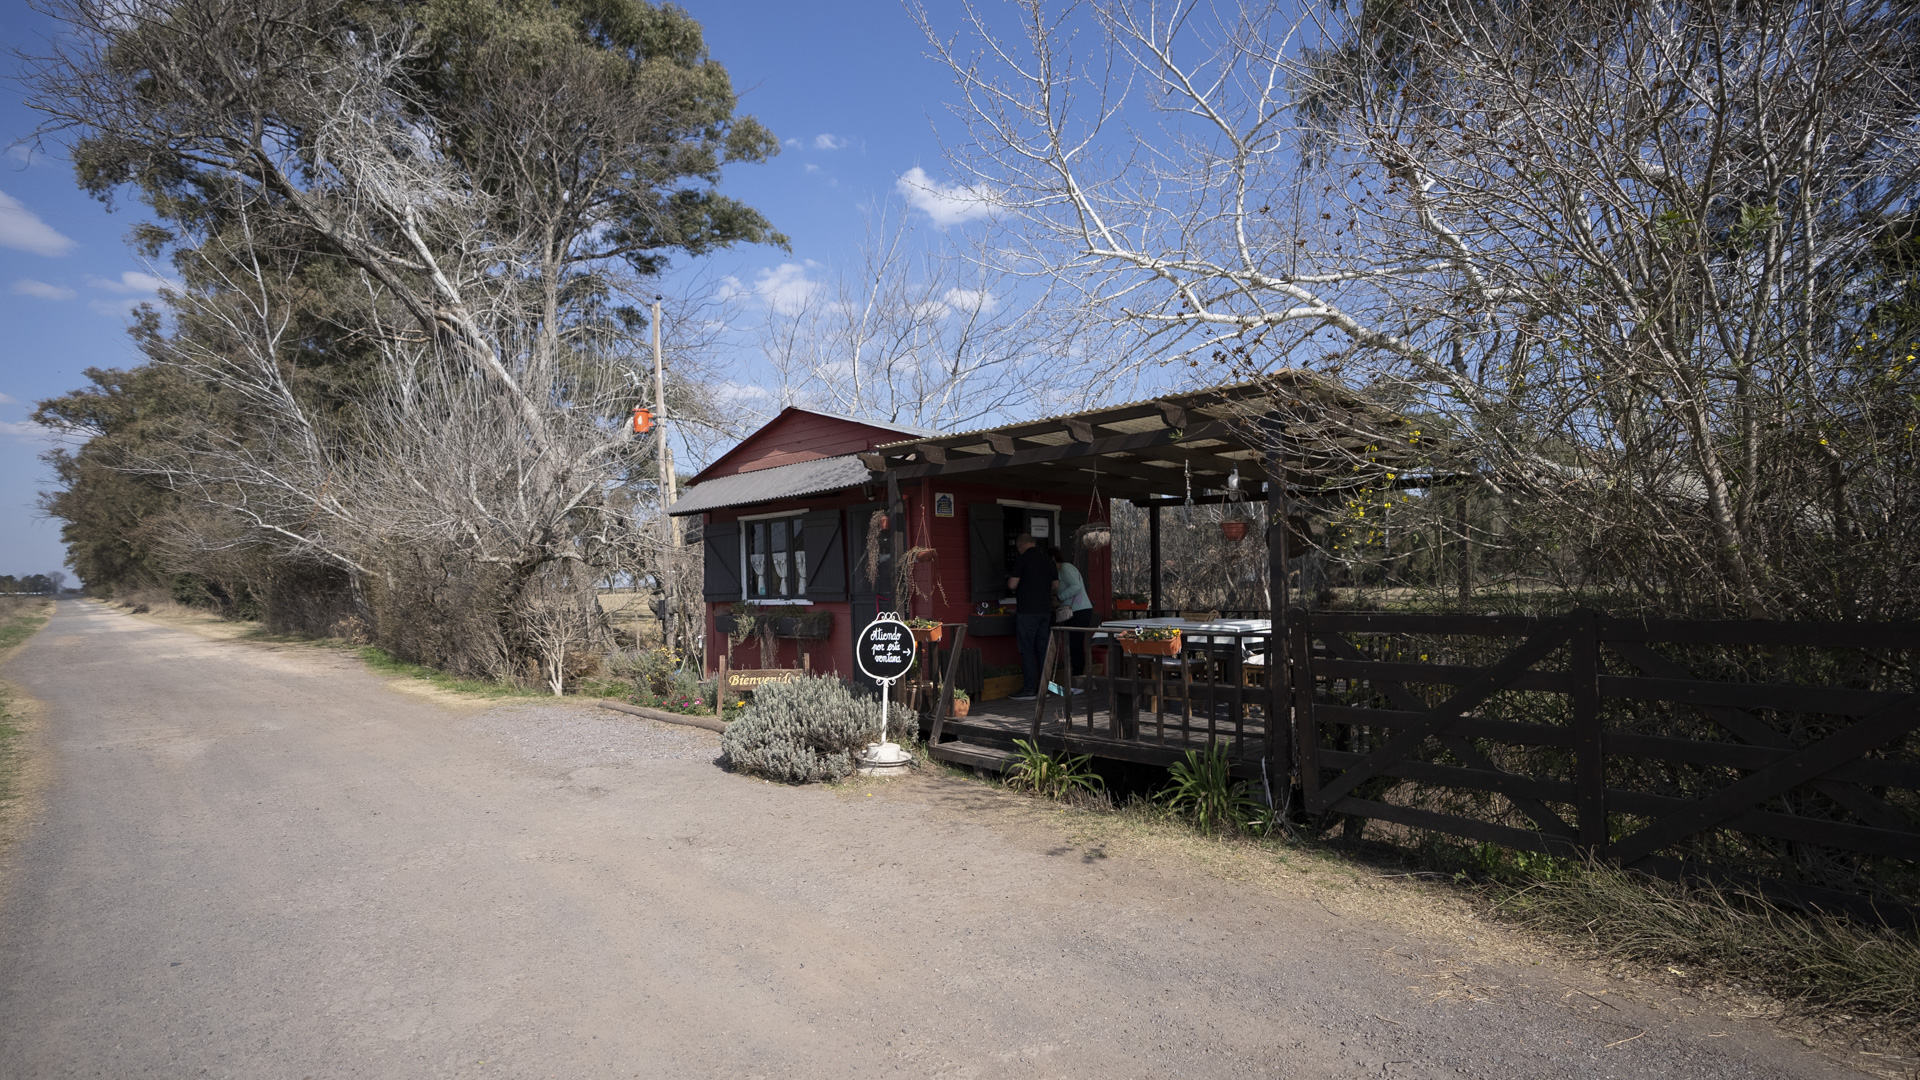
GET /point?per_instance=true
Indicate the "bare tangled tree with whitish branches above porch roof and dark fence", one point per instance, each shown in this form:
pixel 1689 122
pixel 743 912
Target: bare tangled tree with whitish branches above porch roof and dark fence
pixel 1631 260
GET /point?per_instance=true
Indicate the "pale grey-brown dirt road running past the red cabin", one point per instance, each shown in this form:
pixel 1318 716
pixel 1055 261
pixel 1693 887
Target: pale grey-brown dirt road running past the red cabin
pixel 264 862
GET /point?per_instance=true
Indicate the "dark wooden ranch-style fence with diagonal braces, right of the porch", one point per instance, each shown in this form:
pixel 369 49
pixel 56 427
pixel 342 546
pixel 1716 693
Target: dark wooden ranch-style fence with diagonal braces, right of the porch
pixel 1781 754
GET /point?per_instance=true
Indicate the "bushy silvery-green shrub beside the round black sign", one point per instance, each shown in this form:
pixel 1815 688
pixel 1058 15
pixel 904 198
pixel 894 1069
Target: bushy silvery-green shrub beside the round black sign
pixel 802 733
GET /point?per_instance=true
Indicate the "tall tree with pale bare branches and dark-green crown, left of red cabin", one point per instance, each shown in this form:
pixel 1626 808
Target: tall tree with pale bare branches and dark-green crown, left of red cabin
pixel 458 214
